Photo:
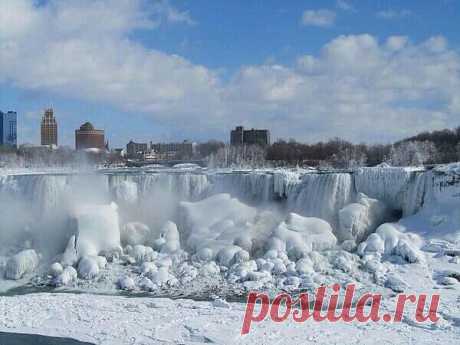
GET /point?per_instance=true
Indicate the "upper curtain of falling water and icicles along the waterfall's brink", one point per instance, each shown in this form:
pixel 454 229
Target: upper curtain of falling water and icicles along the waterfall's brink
pixel 308 193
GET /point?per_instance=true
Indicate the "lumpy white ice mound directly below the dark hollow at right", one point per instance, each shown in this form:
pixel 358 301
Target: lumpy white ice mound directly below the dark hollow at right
pixel 389 240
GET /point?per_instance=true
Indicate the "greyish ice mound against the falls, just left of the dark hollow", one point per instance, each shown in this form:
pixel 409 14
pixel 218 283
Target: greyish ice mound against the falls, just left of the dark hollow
pixel 358 220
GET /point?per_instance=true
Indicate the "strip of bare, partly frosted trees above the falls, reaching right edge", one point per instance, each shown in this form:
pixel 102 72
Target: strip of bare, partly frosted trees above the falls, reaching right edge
pixel 441 146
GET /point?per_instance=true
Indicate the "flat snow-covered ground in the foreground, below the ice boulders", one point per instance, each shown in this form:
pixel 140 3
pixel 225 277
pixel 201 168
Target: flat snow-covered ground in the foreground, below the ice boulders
pixel 119 320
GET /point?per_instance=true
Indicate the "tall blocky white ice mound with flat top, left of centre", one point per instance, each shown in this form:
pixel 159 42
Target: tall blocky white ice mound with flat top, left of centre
pixel 98 229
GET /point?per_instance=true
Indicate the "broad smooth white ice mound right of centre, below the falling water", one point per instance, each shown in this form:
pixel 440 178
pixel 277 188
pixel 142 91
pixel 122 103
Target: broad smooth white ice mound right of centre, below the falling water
pixel 303 235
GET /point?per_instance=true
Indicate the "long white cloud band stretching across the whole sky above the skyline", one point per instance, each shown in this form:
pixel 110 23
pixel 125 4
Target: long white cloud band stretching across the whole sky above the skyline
pixel 356 87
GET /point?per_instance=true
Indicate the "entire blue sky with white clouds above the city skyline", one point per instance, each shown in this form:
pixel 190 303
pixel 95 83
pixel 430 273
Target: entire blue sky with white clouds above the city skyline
pixel 370 71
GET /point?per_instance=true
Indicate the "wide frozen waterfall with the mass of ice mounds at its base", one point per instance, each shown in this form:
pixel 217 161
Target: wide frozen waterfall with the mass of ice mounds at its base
pixel 266 229
